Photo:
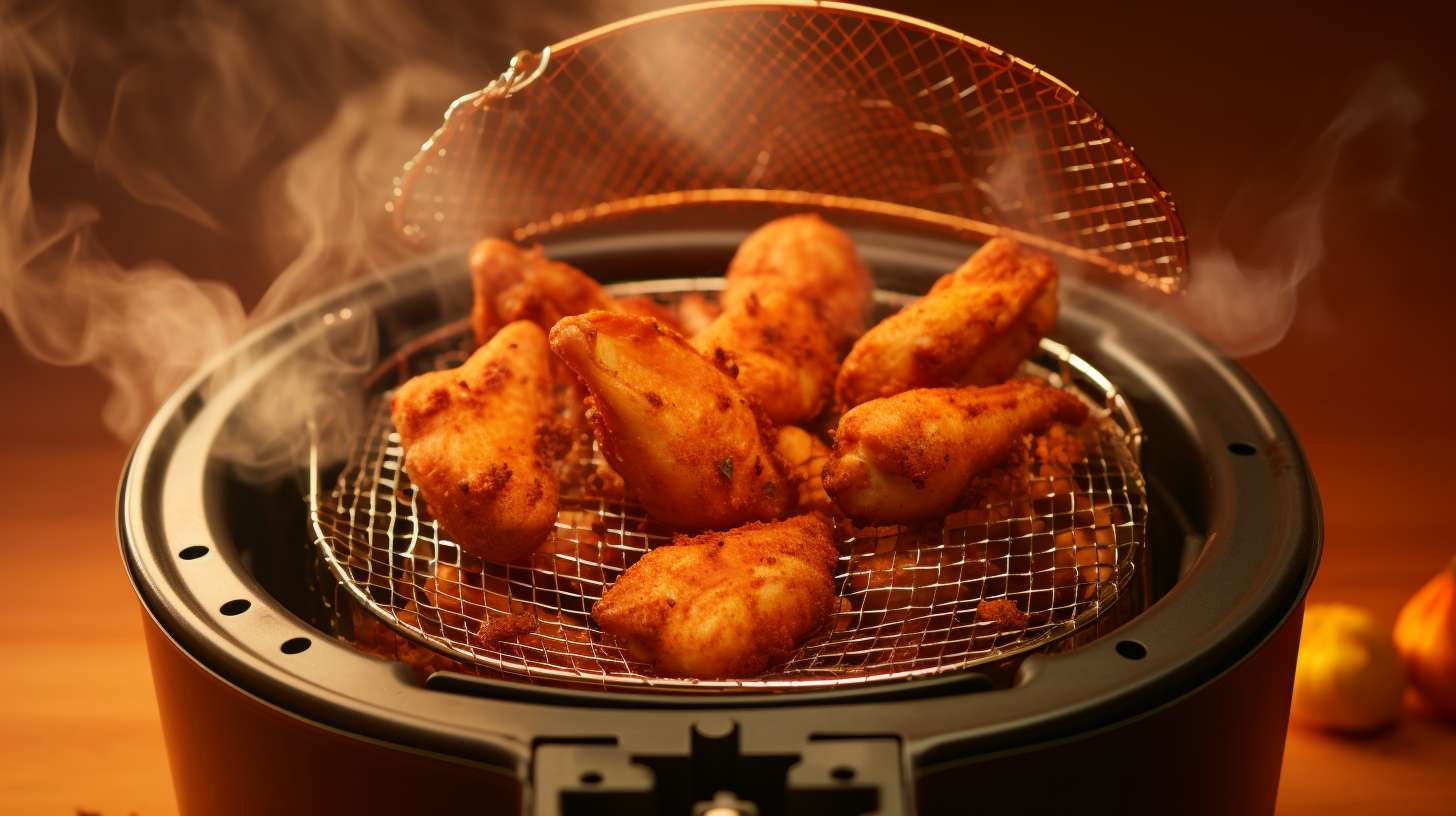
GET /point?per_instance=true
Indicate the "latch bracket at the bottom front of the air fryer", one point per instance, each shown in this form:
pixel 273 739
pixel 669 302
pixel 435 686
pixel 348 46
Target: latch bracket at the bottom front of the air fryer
pixel 716 777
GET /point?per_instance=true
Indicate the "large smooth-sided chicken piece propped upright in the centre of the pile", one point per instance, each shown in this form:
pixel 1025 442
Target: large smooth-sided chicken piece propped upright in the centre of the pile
pixel 685 438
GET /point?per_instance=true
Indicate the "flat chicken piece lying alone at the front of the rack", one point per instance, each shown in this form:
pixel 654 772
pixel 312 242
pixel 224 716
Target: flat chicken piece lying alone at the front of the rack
pixel 726 605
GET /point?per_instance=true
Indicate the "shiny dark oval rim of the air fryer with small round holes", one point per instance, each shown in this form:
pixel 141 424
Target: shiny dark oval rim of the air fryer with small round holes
pixel 1263 537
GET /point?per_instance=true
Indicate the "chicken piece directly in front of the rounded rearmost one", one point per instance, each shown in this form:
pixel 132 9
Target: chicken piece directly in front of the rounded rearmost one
pixel 778 350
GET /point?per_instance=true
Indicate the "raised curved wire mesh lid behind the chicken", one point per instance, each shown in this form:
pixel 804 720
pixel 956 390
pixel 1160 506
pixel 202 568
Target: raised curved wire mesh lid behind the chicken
pixel 820 106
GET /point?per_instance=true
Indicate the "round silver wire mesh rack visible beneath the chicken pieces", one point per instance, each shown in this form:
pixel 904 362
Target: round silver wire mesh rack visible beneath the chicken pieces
pixel 1064 544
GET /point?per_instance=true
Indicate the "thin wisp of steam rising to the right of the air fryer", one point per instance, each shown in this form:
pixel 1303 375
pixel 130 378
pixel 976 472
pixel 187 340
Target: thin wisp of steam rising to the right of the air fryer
pixel 1247 305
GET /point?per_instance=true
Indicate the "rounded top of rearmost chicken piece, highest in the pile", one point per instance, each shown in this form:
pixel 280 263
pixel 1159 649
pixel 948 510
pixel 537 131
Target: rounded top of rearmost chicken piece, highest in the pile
pixel 810 260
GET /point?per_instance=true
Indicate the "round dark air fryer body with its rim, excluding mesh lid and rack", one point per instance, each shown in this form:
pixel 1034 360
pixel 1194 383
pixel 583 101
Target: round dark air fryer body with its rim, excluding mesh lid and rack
pixel 1183 709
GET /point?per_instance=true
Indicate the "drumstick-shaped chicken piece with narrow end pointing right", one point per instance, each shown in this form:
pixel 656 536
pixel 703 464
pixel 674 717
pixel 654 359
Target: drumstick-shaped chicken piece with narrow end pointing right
pixel 912 457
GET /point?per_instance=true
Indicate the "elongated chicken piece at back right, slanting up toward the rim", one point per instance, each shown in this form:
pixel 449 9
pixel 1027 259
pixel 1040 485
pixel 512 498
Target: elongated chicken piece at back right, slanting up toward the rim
pixel 975 327
